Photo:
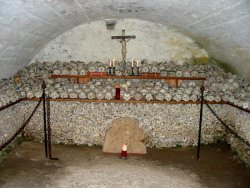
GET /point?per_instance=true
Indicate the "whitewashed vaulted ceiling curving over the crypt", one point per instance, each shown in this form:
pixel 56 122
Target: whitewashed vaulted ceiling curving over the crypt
pixel 221 26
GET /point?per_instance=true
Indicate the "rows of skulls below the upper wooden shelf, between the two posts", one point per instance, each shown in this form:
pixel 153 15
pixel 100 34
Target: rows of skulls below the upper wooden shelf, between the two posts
pixel 130 89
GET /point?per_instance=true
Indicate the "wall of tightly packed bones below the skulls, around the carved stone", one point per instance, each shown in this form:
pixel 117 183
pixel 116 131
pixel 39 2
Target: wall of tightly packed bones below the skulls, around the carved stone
pixel 164 125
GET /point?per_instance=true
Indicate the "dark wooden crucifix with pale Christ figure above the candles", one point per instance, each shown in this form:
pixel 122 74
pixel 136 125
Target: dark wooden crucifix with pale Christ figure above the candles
pixel 123 39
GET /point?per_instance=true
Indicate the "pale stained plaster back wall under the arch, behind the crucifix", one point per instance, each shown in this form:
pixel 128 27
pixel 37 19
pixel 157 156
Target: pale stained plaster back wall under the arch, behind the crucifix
pixel 92 42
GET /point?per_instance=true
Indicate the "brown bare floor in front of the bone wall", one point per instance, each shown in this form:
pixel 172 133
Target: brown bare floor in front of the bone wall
pixel 89 167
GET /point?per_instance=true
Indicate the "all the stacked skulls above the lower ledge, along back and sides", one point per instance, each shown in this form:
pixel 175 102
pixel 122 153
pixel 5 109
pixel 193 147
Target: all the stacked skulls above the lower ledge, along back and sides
pixel 218 86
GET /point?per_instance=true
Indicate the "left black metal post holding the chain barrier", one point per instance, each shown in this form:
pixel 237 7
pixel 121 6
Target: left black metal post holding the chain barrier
pixel 45 120
